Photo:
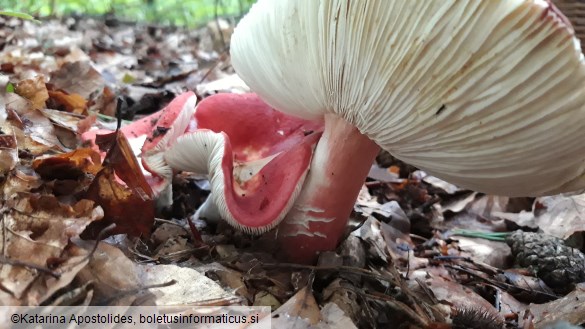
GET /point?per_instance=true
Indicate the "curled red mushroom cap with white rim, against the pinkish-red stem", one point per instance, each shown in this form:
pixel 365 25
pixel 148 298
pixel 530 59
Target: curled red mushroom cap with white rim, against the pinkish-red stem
pixel 256 157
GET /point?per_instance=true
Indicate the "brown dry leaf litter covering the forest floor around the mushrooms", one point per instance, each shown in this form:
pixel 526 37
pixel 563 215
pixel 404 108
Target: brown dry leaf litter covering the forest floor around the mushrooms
pixel 417 255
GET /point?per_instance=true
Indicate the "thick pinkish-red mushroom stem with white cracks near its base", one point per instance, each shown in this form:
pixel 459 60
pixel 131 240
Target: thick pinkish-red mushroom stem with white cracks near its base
pixel 339 167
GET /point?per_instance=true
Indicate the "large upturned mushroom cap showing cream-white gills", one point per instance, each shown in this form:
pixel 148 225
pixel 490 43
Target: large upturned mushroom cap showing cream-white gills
pixel 489 95
